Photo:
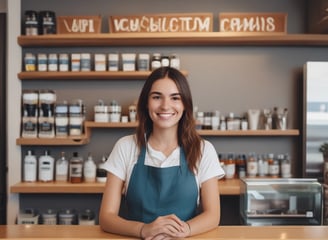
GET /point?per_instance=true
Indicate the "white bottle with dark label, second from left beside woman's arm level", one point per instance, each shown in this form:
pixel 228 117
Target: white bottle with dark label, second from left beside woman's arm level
pixel 46 167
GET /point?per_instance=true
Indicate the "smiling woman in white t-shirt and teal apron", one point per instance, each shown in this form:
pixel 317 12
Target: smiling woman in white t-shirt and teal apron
pixel 166 171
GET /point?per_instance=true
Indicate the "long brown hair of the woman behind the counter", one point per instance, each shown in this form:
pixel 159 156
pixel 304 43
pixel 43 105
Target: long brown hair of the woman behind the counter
pixel 188 138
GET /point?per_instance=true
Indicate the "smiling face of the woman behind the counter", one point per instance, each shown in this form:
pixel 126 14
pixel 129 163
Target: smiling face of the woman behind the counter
pixel 165 104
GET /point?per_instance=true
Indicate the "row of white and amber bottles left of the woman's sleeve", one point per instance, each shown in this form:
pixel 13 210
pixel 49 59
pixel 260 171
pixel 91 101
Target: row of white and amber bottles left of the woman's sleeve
pixel 74 170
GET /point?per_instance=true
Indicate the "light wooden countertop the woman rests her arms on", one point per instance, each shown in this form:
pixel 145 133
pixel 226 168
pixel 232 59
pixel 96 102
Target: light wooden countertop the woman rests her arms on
pixel 222 232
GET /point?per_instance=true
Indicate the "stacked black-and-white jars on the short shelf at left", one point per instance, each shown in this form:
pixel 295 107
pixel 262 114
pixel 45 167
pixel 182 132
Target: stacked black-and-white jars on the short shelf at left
pixel 44 118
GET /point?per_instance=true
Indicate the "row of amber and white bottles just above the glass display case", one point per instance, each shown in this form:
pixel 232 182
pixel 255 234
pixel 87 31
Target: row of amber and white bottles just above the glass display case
pixel 256 165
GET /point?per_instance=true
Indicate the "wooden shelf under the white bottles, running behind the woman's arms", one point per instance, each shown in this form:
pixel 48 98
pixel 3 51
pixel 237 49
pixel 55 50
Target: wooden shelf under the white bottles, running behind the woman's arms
pixel 227 187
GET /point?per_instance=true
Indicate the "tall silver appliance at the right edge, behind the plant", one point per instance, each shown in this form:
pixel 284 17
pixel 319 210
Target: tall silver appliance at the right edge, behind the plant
pixel 315 117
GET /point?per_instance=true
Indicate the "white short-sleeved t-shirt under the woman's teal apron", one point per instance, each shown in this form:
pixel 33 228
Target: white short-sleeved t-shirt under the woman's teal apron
pixel 125 155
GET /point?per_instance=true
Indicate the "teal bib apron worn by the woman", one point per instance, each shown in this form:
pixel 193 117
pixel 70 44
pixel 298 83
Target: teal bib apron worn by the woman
pixel 154 192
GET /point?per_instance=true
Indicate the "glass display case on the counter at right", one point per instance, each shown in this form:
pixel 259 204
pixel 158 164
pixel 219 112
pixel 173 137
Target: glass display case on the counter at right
pixel 281 202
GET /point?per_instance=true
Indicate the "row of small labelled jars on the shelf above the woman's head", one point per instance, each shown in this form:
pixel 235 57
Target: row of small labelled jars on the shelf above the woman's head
pixel 75 62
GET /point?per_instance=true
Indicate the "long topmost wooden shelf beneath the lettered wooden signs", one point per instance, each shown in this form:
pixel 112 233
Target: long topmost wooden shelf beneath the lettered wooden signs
pixel 173 39
